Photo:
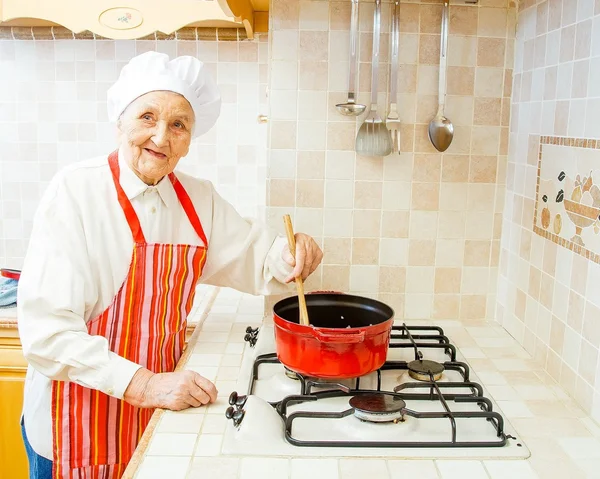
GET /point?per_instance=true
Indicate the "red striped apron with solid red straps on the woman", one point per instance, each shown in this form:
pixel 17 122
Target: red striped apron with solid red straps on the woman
pixel 94 434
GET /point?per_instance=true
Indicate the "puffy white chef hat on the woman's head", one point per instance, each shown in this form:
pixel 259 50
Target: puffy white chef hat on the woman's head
pixel 152 71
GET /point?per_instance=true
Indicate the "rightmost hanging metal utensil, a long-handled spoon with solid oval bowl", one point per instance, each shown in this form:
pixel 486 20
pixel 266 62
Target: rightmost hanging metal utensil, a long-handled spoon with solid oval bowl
pixel 441 130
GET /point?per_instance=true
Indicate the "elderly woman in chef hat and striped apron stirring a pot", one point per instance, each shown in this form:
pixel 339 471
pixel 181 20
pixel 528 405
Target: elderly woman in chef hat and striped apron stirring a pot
pixel 118 246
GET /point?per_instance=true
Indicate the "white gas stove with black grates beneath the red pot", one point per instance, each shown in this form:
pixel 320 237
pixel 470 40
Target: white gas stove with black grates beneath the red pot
pixel 424 402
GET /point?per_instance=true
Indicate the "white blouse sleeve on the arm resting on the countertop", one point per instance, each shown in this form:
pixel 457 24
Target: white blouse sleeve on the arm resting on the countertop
pixel 55 291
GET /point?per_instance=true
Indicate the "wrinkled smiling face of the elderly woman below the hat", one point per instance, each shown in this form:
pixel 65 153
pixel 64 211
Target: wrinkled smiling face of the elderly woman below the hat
pixel 155 131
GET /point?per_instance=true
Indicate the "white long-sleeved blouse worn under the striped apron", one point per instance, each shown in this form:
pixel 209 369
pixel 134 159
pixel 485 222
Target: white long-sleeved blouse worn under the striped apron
pixel 79 255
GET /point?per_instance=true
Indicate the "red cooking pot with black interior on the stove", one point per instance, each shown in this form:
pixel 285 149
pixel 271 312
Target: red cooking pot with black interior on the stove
pixel 348 336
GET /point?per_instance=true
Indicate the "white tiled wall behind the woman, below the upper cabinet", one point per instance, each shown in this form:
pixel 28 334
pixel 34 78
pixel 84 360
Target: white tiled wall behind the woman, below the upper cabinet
pixel 53 112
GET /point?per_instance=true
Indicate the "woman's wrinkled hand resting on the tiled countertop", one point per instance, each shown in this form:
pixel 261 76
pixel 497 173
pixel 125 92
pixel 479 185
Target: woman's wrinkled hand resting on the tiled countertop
pixel 175 391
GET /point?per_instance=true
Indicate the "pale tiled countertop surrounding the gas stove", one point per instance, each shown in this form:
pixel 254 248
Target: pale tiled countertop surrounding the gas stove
pixel 564 443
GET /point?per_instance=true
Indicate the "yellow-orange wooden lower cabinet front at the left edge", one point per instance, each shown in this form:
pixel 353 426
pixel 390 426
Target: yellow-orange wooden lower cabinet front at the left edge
pixel 13 460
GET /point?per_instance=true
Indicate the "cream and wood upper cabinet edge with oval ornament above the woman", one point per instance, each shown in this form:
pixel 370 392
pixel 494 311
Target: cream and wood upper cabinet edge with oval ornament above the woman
pixel 130 19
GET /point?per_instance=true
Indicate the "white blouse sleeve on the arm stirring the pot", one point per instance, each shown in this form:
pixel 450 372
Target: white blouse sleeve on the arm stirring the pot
pixel 244 254
